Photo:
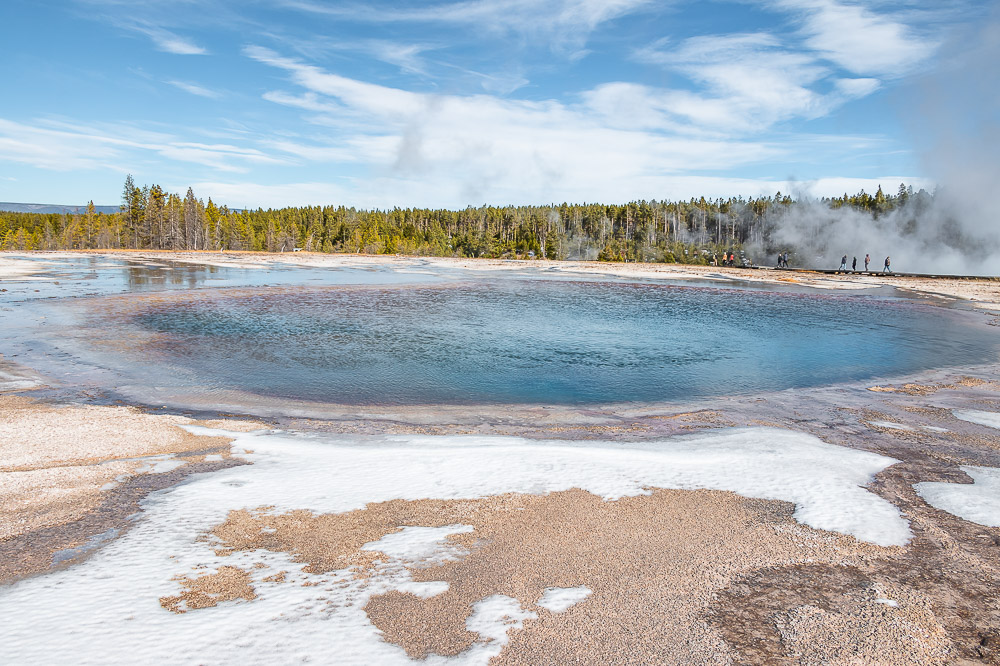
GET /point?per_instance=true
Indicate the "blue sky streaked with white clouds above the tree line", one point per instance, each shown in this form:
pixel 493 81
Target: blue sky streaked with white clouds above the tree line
pixel 380 104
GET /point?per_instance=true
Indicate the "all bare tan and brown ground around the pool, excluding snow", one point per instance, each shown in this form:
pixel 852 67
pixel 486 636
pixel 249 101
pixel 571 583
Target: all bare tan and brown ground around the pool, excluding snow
pixel 676 576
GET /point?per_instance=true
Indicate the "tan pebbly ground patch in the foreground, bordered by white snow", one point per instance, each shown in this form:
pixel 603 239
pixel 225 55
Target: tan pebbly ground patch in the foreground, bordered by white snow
pixel 653 563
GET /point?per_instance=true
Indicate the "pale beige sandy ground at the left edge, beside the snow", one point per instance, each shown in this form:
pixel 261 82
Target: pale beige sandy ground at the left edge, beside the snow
pixel 62 465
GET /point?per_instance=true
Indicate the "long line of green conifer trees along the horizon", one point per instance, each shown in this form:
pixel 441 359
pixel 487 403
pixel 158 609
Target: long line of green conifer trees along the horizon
pixel 690 231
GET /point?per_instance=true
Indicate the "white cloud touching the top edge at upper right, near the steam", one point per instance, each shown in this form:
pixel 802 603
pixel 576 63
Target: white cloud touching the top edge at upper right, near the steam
pixel 858 39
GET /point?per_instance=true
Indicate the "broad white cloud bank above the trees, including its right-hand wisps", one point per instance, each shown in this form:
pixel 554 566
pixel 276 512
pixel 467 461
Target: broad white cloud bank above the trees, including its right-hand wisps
pixel 435 149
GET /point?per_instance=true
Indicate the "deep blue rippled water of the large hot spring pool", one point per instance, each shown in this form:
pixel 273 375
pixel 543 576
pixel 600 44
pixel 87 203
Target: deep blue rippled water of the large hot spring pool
pixel 521 341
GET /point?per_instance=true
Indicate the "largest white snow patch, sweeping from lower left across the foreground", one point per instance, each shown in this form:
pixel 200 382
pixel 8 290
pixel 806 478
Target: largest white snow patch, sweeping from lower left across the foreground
pixel 104 610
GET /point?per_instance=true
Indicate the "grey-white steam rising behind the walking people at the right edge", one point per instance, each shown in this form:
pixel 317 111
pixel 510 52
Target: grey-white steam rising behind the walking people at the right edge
pixel 958 133
